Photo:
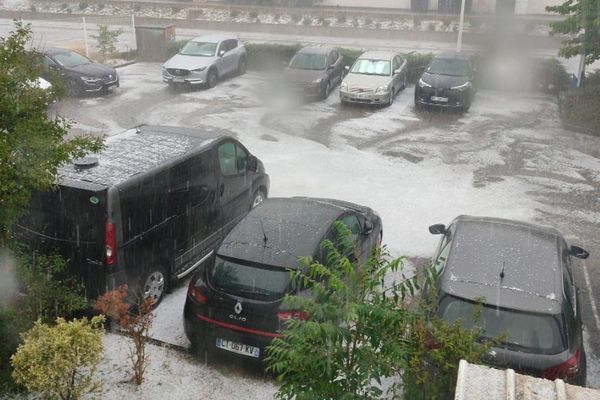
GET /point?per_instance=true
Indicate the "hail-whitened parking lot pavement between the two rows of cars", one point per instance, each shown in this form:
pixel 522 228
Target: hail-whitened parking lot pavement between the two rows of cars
pixel 507 157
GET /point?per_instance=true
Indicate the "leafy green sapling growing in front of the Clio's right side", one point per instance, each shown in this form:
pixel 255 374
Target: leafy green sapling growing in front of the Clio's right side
pixel 351 327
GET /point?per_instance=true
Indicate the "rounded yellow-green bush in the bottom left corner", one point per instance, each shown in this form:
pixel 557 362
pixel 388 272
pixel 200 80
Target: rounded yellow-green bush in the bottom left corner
pixel 60 361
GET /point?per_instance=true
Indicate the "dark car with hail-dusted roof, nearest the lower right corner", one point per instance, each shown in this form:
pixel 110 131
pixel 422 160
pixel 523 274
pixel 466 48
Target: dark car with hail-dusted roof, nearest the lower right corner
pixel 523 273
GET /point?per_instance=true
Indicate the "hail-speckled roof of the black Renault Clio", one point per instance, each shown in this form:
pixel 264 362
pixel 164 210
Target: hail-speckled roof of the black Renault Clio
pixel 294 227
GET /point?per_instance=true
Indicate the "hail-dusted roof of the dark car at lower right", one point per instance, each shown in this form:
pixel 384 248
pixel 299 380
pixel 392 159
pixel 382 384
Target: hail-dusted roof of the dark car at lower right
pixel 529 254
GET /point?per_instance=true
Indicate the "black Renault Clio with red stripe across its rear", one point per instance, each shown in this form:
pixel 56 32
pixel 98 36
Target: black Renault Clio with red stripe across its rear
pixel 235 304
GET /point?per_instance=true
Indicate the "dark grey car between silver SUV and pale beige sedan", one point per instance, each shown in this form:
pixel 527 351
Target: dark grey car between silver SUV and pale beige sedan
pixel 314 71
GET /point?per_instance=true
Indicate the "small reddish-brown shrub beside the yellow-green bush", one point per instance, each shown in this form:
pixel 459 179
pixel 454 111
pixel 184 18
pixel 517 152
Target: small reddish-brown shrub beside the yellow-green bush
pixel 136 321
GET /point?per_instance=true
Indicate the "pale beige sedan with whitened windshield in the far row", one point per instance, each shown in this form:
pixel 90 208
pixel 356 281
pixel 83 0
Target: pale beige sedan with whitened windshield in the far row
pixel 374 78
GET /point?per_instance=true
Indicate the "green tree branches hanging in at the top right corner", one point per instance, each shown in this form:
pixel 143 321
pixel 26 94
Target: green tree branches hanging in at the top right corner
pixel 582 27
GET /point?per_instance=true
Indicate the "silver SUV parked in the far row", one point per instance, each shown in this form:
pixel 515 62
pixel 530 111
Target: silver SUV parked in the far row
pixel 205 59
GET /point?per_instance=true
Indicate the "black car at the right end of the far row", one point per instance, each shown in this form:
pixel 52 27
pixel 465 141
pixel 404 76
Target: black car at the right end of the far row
pixel 450 80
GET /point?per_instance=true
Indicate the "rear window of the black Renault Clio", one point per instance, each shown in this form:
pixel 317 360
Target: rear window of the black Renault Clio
pixel 251 281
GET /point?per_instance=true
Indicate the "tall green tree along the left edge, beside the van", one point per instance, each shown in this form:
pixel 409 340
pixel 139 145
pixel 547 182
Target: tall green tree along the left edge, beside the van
pixel 32 144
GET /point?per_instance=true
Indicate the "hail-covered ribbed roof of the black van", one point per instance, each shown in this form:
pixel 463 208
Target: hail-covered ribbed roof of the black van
pixel 137 151
